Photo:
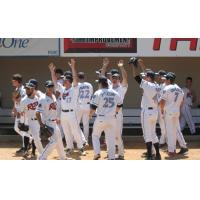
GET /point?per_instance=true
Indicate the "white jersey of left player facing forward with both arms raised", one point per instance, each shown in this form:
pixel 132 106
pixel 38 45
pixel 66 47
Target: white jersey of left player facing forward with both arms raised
pixel 69 97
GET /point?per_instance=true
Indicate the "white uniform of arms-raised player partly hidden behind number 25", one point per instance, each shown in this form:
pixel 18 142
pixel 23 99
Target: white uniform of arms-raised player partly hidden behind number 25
pixel 121 90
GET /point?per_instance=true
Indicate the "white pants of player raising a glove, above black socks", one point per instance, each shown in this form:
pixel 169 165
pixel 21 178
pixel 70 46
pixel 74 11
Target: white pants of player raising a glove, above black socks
pixel 148 120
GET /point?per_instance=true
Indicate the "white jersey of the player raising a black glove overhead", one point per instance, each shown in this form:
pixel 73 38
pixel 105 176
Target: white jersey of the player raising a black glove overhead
pixel 150 94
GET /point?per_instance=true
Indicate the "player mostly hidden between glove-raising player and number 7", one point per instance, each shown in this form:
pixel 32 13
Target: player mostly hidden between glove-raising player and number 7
pixel 161 82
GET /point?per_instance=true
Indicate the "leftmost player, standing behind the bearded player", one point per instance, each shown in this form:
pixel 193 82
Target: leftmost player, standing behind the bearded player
pixel 18 94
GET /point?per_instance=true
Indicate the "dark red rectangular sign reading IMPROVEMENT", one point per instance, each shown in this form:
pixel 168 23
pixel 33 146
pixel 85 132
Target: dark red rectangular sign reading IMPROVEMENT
pixel 100 45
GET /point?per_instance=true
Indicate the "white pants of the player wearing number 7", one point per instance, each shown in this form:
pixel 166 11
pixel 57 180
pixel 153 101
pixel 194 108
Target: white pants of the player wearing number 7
pixel 173 131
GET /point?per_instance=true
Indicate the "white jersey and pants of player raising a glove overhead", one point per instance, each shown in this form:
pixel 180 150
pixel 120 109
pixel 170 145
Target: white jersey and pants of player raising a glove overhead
pixel 149 113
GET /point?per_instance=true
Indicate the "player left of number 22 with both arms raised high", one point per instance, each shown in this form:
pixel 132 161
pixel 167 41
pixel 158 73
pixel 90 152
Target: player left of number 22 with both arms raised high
pixel 69 99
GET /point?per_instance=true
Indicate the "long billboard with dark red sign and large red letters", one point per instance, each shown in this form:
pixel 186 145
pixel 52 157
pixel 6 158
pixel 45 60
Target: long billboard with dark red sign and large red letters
pixel 125 47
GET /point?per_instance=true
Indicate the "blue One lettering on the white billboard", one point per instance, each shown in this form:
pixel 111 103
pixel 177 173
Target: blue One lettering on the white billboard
pixel 14 43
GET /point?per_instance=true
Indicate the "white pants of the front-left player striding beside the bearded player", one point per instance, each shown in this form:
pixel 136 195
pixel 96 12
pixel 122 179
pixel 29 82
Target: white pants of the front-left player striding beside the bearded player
pixel 55 142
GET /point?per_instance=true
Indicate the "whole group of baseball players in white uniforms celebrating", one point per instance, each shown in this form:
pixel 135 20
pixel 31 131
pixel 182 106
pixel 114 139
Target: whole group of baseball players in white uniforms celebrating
pixel 69 100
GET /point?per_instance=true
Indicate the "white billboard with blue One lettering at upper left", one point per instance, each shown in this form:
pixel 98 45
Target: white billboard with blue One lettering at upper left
pixel 29 47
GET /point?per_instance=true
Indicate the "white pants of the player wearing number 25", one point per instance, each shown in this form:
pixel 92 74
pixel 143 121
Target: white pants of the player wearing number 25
pixel 108 126
